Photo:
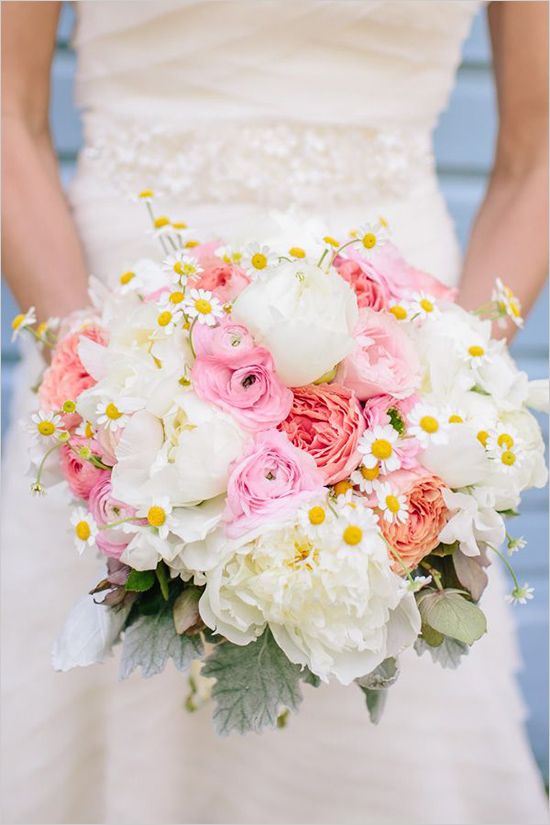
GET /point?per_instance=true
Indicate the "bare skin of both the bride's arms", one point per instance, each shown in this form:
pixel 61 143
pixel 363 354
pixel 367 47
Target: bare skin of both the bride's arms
pixel 42 256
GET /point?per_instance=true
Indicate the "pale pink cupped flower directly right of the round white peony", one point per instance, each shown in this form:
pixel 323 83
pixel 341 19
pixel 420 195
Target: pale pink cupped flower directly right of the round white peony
pixel 383 360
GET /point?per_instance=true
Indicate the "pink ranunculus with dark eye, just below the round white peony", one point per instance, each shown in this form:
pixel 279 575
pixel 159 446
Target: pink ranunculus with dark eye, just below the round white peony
pixel 247 388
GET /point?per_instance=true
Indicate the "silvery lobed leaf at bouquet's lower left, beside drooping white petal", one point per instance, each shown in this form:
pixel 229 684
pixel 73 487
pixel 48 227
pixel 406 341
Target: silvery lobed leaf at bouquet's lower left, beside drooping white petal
pixel 151 640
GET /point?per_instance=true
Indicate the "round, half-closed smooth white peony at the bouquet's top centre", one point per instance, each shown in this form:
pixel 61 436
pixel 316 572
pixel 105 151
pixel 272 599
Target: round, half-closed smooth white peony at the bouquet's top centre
pixel 303 315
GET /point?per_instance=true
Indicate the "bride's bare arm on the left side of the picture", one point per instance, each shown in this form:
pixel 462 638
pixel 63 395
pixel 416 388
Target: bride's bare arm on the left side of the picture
pixel 41 255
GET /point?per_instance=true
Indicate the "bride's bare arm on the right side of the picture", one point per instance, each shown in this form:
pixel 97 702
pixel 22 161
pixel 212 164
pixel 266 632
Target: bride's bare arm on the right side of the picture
pixel 510 234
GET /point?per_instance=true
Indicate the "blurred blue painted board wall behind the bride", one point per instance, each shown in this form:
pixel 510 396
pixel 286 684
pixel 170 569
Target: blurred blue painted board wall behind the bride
pixel 464 144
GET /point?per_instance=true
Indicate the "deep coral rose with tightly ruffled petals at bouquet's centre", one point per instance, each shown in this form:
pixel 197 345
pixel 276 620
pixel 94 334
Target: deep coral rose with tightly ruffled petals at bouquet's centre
pixel 326 421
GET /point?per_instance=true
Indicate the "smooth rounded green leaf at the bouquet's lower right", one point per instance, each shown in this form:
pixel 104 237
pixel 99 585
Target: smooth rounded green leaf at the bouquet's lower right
pixel 452 615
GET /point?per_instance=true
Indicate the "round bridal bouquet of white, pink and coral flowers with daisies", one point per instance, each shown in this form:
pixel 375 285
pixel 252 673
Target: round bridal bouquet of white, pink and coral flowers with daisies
pixel 296 463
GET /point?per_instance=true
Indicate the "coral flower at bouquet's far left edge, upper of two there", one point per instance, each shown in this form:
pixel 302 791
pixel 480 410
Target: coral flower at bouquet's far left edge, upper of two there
pixel 66 376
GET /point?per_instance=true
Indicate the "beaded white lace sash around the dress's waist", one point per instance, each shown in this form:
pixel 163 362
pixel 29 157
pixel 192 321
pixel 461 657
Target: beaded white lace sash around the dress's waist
pixel 273 165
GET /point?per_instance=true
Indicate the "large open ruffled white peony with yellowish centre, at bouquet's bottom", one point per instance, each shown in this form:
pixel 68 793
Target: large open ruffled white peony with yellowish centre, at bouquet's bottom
pixel 336 607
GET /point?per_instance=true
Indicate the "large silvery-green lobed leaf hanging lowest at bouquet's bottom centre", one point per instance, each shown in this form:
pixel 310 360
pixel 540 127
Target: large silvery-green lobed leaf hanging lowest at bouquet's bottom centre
pixel 253 683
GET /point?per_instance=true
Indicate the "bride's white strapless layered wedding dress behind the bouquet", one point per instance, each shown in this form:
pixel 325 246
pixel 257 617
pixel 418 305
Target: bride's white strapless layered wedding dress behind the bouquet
pixel 231 109
